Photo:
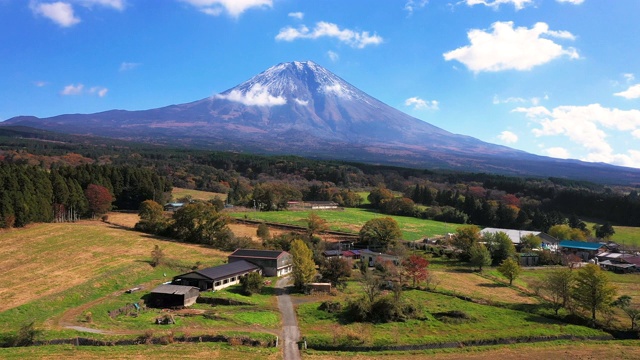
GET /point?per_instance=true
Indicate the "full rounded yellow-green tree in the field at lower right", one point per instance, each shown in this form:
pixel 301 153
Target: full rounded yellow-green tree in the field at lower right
pixel 593 290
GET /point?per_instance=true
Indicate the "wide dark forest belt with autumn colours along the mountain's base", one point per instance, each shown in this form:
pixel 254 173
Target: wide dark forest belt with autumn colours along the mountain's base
pixel 38 170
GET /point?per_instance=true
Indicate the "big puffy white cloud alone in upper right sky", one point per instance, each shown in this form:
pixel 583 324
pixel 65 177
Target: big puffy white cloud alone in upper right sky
pixel 507 48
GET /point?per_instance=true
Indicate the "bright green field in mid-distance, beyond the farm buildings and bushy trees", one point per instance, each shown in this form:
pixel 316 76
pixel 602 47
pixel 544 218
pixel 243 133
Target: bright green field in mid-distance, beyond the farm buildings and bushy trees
pixel 352 219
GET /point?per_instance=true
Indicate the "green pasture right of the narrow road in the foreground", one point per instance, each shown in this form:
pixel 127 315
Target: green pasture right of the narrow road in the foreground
pixel 485 323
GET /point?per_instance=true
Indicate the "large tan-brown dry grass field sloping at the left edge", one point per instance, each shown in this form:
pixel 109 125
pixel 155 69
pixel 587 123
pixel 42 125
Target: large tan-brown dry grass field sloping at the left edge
pixel 45 259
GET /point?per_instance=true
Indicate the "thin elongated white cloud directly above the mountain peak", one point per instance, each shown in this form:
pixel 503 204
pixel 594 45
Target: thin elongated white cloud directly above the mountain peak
pixel 324 29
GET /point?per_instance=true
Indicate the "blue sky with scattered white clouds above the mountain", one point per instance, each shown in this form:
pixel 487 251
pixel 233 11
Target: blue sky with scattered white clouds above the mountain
pixel 558 78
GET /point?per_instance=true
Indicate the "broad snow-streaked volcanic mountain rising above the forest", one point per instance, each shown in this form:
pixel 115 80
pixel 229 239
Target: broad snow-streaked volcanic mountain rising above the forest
pixel 301 108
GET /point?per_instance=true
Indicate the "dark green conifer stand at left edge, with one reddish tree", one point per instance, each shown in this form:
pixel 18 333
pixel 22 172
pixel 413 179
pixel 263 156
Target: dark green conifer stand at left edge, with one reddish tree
pixel 31 194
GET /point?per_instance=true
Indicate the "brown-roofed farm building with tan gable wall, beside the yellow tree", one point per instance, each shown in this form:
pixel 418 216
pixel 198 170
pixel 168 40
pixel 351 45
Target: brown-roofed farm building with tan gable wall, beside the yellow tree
pixel 272 262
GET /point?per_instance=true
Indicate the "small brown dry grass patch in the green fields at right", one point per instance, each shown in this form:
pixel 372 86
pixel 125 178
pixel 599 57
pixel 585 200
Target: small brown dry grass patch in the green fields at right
pixel 477 287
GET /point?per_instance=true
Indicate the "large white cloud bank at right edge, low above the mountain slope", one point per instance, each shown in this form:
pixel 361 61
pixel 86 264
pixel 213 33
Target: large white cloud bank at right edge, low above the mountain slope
pixel 589 127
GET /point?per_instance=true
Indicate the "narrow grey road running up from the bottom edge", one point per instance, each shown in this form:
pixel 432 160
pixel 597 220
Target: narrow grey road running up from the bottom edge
pixel 290 330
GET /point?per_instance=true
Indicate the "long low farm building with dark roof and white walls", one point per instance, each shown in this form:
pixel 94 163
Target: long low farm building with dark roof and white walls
pixel 218 277
